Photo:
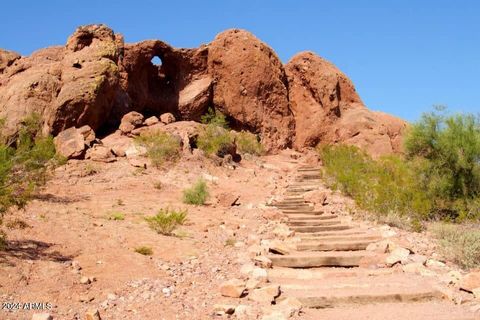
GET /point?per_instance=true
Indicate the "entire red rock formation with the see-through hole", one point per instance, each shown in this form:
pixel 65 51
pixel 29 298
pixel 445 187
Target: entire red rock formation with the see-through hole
pixel 96 78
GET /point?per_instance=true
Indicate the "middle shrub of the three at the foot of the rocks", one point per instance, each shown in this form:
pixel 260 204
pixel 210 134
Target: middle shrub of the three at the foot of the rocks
pixel 215 140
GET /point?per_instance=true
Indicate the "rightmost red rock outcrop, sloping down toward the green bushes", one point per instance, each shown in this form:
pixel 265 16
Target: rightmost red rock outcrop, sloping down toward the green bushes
pixel 327 109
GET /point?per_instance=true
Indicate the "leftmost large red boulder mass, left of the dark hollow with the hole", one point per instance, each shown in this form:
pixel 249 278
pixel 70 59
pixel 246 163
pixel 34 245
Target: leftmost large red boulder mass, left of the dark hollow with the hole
pixel 69 86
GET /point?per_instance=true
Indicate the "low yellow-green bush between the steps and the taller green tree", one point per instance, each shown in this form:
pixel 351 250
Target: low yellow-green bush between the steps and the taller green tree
pixel 387 187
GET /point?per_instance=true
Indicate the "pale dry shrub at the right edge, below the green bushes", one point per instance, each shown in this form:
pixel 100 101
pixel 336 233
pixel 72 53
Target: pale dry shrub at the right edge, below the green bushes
pixel 459 243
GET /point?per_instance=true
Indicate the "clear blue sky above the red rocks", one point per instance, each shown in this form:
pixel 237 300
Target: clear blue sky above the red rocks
pixel 402 55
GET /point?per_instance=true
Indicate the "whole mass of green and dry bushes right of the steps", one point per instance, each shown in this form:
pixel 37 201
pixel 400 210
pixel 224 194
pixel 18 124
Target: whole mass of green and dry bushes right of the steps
pixel 437 180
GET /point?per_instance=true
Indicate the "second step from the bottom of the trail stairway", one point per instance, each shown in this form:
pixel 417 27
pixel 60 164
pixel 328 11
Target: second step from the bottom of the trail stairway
pixel 319 259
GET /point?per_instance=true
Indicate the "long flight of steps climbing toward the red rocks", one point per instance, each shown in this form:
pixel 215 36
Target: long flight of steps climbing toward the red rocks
pixel 328 268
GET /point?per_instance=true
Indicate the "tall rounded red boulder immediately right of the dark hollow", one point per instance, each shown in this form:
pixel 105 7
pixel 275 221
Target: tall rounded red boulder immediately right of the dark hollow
pixel 250 87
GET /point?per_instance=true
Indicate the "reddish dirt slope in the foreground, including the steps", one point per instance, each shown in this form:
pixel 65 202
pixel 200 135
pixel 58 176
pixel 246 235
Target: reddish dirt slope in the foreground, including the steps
pixel 286 249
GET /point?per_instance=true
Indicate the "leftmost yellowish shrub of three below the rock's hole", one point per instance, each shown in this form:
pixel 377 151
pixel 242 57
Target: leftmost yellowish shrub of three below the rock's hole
pixel 161 147
